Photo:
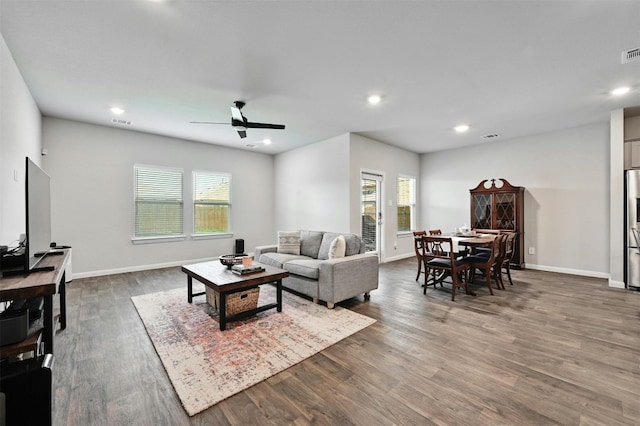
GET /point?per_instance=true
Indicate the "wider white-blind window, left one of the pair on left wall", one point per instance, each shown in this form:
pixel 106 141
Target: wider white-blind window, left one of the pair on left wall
pixel 158 201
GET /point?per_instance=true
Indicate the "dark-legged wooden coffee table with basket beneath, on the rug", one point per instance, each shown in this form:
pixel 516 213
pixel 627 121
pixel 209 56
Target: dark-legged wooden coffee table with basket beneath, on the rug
pixel 217 277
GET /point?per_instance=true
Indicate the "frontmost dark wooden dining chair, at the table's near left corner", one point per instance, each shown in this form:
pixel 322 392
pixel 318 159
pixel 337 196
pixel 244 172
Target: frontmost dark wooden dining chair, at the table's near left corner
pixel 443 259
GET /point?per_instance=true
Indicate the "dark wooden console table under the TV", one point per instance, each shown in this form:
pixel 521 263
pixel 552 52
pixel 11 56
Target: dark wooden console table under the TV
pixel 45 284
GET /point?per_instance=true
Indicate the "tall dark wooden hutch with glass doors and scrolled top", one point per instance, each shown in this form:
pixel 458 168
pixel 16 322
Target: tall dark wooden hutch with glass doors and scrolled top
pixel 500 207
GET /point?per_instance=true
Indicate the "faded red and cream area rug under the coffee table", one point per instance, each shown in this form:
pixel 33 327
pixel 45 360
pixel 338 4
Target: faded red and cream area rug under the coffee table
pixel 206 365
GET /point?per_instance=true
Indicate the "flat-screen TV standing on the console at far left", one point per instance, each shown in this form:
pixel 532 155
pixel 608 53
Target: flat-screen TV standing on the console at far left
pixel 38 214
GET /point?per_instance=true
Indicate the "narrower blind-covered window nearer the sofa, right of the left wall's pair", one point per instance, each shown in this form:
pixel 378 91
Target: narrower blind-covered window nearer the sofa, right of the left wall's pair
pixel 211 202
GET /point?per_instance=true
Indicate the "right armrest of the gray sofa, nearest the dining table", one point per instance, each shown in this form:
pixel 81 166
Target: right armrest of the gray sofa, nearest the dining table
pixel 347 277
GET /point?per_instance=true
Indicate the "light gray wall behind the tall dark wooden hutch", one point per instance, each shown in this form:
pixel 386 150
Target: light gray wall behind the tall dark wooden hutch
pixel 566 180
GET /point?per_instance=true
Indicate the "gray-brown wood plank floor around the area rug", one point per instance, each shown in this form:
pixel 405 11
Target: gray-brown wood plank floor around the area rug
pixel 551 349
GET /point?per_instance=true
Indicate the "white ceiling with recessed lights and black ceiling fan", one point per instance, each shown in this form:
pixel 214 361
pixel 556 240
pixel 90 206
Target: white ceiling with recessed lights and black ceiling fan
pixel 510 67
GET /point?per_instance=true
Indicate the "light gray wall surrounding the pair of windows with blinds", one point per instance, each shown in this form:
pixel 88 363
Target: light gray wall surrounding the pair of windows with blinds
pixel 91 169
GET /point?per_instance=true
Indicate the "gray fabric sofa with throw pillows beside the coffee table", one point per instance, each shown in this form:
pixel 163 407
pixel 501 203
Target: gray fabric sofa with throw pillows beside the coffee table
pixel 314 274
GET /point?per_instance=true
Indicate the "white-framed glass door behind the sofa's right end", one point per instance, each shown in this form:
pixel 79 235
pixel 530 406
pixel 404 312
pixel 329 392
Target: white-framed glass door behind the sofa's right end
pixel 370 211
